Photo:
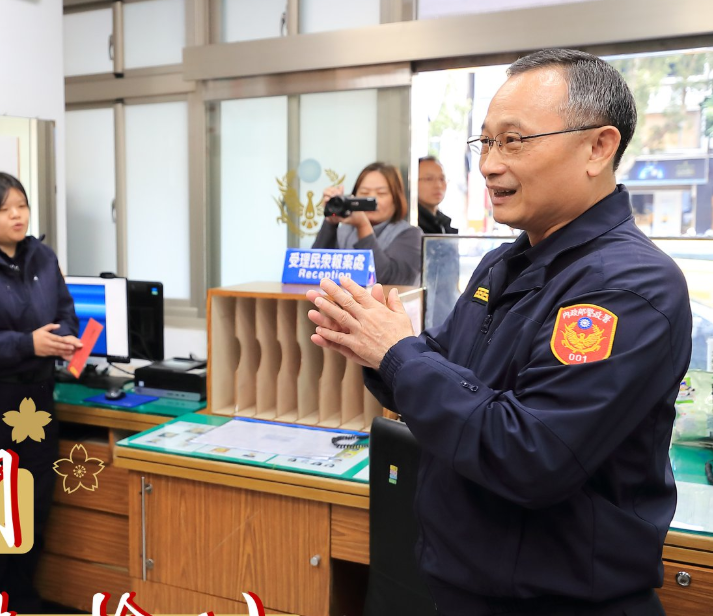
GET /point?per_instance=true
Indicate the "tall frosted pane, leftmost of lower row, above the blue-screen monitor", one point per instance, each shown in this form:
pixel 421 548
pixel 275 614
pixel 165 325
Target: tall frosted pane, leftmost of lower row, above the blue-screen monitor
pixel 91 187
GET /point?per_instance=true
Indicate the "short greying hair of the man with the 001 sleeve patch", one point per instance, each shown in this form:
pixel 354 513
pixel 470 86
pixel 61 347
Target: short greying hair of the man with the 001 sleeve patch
pixel 598 93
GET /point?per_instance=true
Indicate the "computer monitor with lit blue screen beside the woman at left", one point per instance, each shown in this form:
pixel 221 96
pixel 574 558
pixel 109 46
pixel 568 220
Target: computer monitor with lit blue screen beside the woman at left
pixel 106 301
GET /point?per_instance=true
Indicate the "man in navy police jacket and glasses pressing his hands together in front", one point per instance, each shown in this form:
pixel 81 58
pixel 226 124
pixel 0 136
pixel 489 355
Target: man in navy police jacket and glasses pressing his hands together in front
pixel 544 405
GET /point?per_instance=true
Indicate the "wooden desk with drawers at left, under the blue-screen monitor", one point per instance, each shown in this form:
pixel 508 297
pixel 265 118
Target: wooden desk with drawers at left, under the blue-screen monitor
pixel 87 548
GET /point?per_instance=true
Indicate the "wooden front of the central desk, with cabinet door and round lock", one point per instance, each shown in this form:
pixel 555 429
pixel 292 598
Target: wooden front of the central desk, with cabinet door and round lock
pixel 275 533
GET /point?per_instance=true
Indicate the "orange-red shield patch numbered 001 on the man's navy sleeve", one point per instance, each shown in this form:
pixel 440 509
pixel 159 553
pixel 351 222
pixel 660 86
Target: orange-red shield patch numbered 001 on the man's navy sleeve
pixel 583 333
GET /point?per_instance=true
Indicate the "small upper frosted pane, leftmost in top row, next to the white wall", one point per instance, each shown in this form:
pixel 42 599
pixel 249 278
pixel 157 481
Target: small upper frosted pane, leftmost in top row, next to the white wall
pixel 86 43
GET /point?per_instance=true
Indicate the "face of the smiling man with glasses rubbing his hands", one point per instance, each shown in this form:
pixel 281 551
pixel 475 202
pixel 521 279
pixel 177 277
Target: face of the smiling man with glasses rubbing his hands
pixel 544 185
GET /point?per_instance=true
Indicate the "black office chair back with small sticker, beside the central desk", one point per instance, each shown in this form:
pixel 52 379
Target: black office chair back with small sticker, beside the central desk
pixel 395 584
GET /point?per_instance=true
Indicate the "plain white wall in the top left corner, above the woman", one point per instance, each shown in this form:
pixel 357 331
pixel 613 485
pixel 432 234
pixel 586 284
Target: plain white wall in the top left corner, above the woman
pixel 32 79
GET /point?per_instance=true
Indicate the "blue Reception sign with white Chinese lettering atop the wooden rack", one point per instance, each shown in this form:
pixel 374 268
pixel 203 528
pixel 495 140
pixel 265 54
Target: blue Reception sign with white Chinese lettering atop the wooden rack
pixel 304 266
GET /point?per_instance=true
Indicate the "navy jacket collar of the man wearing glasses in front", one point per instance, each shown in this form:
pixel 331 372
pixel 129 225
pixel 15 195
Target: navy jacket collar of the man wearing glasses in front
pixel 605 215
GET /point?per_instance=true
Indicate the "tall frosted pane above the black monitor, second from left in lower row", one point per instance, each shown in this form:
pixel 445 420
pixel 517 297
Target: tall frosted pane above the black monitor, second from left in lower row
pixel 157 196
